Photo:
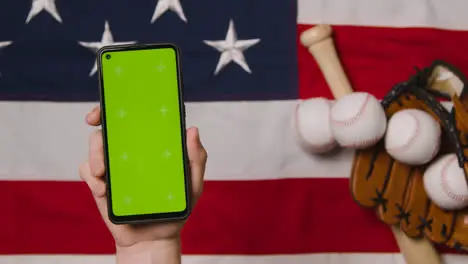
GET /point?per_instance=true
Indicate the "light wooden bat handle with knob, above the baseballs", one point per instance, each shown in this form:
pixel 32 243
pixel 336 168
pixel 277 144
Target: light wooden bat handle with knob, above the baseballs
pixel 320 43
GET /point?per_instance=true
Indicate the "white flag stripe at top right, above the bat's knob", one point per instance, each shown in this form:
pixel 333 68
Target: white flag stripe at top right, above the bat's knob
pixel 395 13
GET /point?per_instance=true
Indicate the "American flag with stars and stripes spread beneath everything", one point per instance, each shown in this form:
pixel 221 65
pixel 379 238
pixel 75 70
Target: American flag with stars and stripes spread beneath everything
pixel 265 201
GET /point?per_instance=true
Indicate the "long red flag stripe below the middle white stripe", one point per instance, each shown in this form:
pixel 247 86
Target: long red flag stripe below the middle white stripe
pixel 251 217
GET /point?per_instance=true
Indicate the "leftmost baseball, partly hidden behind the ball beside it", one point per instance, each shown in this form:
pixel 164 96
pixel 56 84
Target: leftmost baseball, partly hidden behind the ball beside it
pixel 313 125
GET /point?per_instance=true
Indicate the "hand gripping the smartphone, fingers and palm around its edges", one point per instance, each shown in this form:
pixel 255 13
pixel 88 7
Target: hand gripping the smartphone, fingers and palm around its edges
pixel 131 238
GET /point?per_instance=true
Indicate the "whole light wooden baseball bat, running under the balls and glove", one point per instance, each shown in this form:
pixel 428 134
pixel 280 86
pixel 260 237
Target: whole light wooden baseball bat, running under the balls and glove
pixel 320 44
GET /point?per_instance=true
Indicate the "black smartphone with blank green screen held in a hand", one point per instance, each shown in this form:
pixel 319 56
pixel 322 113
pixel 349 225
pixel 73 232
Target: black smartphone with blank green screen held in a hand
pixel 143 125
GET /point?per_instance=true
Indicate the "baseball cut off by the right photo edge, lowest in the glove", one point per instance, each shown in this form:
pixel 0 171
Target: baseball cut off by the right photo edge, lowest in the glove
pixel 444 182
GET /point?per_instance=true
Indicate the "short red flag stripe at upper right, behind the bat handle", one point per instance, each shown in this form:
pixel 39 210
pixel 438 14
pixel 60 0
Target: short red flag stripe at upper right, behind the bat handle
pixel 375 58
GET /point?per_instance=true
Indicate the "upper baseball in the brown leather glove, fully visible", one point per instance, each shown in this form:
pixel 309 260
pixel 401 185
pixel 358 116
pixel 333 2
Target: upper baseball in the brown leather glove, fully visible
pixel 413 137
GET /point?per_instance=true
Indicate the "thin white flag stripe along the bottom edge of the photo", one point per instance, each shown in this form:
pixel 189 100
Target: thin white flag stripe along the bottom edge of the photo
pixel 347 258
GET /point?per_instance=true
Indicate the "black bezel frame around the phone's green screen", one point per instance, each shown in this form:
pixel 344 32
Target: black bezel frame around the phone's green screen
pixel 156 217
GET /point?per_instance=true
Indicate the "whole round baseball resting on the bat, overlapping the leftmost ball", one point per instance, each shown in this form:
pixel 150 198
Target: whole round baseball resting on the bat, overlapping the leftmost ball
pixel 358 120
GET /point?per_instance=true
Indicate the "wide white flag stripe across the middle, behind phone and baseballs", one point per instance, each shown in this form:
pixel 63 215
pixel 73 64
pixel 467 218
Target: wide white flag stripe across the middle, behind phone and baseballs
pixel 244 140
